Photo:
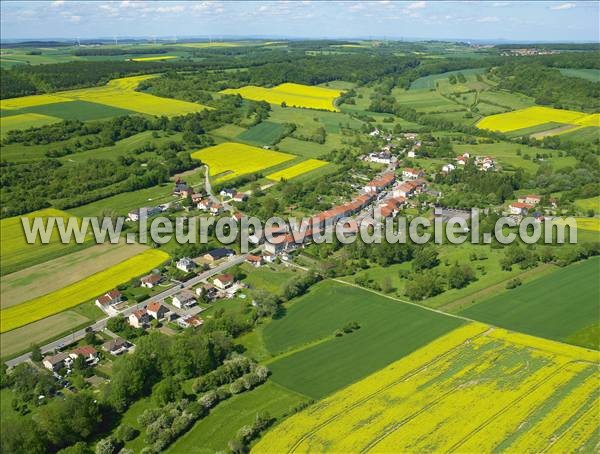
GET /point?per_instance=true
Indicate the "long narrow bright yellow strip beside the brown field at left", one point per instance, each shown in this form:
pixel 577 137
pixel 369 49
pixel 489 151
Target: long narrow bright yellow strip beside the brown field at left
pixel 79 292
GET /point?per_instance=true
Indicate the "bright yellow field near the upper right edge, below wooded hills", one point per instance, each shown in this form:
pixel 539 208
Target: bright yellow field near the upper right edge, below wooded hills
pixel 534 116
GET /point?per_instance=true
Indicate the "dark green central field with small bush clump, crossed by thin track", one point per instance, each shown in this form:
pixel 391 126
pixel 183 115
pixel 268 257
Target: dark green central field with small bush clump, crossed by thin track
pixel 314 362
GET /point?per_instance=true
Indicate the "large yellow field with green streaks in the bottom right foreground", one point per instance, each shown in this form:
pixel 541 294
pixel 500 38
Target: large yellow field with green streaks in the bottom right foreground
pixel 475 389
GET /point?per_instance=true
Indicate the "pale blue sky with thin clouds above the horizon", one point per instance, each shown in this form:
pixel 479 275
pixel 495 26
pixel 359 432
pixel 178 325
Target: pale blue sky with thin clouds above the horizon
pixel 470 20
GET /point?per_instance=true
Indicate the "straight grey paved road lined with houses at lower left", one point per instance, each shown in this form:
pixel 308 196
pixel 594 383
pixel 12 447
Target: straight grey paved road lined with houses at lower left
pixel 101 324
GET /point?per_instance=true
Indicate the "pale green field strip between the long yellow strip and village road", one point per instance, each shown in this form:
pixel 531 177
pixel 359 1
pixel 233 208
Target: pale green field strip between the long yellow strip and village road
pixel 20 339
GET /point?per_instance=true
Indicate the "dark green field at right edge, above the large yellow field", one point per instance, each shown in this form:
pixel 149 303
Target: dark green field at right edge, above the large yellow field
pixel 555 306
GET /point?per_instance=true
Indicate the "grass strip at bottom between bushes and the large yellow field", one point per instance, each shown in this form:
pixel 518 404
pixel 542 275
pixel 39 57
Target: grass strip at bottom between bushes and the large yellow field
pixel 212 433
